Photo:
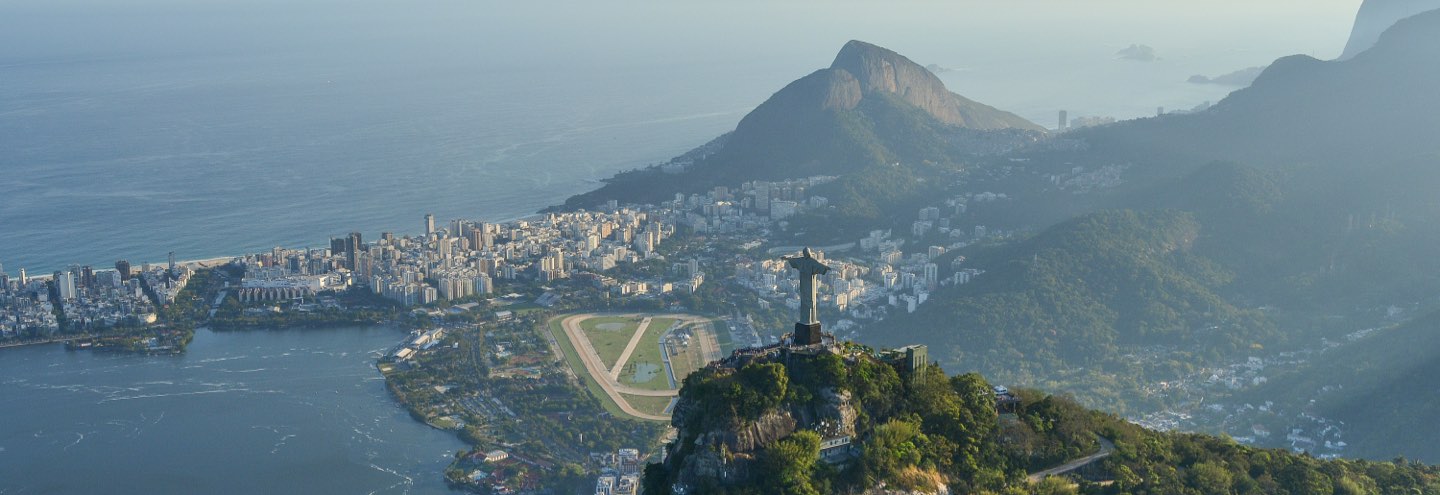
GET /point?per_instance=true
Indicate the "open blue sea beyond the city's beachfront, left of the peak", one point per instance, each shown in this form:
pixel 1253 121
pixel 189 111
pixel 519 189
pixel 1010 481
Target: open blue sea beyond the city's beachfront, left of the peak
pixel 123 159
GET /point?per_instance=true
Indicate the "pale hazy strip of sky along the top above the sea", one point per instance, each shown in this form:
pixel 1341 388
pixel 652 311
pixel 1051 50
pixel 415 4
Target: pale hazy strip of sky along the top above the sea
pixel 699 29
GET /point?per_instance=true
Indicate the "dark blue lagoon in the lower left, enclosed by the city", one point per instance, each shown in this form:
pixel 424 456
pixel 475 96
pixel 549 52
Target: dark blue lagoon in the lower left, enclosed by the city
pixel 263 412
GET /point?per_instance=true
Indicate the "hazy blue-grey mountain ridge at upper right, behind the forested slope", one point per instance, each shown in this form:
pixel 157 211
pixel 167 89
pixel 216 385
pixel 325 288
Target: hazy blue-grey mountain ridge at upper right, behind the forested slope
pixel 1376 107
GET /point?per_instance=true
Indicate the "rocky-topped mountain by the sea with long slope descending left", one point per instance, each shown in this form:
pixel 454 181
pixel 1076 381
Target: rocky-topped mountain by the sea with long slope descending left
pixel 870 107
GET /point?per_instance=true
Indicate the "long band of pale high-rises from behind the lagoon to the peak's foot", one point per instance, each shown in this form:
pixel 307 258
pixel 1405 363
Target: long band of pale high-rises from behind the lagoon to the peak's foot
pixel 469 258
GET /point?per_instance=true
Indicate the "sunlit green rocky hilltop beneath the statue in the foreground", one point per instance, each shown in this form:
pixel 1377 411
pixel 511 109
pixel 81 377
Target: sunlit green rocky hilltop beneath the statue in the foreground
pixel 781 425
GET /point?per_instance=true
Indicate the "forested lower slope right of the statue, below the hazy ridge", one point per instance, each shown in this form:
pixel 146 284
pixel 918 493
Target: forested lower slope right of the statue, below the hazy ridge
pixel 1192 273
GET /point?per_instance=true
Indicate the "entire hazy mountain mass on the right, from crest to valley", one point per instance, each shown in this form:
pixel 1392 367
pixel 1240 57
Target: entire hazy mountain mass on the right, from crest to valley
pixel 1327 215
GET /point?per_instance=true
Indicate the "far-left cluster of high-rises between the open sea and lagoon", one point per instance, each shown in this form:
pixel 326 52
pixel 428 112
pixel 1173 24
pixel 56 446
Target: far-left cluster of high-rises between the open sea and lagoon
pixel 89 299
